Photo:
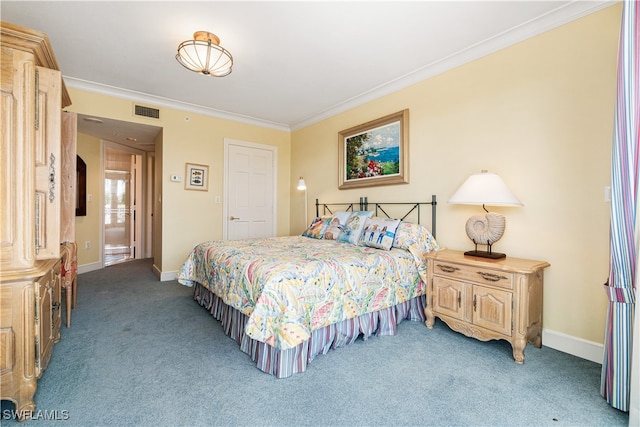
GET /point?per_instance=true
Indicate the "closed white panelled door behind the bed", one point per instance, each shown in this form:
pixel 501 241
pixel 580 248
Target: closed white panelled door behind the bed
pixel 250 190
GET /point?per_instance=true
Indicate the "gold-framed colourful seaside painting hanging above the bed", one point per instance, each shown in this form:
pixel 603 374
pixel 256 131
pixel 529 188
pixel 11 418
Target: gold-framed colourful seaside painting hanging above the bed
pixel 375 153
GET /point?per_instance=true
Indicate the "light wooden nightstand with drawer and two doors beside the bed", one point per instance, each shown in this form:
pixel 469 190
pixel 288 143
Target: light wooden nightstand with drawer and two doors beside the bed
pixel 487 299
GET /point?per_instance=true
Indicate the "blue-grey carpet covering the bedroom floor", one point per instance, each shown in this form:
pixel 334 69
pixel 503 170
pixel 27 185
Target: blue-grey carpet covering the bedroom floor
pixel 143 352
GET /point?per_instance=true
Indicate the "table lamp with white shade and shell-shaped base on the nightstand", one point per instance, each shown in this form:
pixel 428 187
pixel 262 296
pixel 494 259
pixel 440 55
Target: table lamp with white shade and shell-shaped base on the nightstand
pixel 485 188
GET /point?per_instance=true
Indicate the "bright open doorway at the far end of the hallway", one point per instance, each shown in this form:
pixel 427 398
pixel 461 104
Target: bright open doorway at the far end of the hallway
pixel 122 193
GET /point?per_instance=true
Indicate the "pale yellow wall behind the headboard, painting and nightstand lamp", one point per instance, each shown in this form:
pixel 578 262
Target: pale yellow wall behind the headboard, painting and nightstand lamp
pixel 539 114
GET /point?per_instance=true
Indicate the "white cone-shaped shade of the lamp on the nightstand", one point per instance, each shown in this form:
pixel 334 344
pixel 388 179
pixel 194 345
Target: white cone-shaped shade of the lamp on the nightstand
pixel 485 188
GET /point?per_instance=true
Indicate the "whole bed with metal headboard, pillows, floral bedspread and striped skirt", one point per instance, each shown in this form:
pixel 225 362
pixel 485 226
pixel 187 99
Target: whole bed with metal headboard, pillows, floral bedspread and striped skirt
pixel 354 272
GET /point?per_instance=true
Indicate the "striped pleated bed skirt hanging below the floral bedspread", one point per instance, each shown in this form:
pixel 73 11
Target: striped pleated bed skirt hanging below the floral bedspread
pixel 284 363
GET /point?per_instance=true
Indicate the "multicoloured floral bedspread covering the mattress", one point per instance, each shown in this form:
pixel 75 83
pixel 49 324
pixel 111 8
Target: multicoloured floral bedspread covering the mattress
pixel 290 286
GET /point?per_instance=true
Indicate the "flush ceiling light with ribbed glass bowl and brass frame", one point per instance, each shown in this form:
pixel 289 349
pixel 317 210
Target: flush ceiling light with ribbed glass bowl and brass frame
pixel 204 55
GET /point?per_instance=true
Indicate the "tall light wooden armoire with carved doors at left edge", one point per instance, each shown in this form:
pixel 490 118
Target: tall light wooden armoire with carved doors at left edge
pixel 33 95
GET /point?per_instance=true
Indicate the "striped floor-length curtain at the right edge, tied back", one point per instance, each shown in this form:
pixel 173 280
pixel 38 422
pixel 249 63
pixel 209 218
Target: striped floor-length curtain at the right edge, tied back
pixel 625 218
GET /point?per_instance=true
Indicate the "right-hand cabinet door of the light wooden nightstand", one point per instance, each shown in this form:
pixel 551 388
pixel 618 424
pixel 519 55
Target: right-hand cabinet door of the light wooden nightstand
pixel 492 309
